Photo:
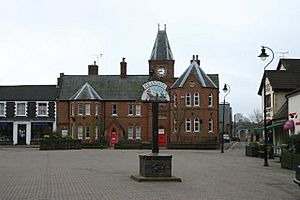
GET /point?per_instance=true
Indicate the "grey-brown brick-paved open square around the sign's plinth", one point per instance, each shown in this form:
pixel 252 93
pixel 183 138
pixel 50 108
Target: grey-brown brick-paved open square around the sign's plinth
pixel 27 173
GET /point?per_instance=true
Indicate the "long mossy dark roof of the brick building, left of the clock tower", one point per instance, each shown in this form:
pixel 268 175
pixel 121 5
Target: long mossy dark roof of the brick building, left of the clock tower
pixel 108 87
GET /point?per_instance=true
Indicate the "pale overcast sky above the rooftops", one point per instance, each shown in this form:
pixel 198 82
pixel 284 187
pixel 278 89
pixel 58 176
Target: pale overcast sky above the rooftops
pixel 41 38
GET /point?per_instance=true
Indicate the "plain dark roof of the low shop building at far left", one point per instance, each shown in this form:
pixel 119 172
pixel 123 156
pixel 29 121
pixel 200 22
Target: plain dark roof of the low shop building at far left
pixel 28 93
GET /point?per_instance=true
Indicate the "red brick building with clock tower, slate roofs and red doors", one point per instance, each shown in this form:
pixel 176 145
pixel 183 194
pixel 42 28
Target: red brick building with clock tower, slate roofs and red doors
pixel 97 106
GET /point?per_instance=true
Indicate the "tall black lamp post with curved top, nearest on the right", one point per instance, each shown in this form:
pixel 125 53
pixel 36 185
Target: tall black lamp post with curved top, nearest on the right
pixel 263 56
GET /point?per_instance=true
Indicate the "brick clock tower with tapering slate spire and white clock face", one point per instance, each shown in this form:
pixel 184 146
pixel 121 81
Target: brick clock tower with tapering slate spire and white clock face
pixel 161 62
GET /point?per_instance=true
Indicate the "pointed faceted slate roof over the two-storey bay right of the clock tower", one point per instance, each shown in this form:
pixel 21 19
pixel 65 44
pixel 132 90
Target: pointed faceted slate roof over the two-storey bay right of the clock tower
pixel 202 77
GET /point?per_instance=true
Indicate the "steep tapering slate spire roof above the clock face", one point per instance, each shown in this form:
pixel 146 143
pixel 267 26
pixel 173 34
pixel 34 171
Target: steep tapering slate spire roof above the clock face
pixel 161 49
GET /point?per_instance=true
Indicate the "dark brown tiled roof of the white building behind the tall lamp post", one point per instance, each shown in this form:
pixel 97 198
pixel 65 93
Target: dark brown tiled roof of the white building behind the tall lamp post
pixel 283 79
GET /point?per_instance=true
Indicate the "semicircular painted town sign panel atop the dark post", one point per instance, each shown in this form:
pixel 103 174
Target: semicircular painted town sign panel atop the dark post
pixel 155 91
